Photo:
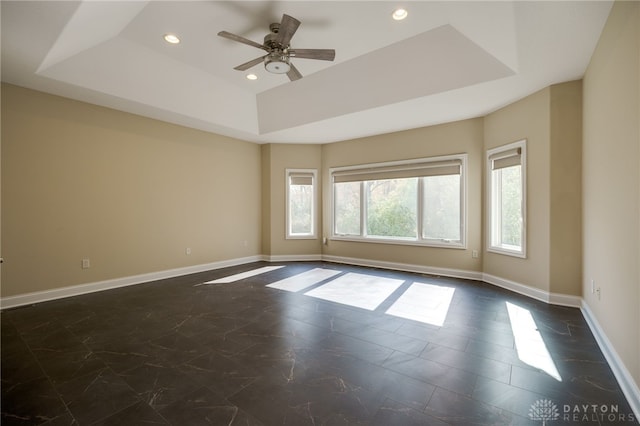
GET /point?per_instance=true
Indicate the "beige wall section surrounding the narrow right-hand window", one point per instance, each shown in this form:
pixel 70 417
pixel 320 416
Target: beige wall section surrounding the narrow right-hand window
pixel 526 119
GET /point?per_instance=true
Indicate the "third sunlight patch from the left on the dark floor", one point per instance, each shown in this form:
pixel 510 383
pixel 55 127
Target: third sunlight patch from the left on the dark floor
pixel 358 290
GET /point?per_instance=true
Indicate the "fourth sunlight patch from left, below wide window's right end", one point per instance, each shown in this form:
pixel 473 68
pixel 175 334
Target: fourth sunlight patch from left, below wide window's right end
pixel 422 302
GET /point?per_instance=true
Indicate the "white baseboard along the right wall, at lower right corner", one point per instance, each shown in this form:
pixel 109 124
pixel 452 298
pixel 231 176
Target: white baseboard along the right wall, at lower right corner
pixel 625 380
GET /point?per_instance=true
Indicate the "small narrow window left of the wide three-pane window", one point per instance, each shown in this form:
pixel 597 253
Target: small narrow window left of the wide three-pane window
pixel 301 203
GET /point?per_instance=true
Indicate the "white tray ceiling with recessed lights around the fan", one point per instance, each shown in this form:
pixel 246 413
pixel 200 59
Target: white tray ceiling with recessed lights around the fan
pixel 449 60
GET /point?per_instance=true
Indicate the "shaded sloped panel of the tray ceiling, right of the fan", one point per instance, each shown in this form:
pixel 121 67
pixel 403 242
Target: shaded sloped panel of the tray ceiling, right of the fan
pixel 439 60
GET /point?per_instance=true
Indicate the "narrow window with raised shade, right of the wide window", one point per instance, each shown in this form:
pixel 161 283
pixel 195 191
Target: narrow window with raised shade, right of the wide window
pixel 506 169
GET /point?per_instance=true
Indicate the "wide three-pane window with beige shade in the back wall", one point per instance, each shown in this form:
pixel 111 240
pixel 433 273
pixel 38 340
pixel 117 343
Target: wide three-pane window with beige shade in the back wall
pixel 406 202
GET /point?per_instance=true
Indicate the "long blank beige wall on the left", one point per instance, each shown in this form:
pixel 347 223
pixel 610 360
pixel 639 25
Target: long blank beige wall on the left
pixel 129 193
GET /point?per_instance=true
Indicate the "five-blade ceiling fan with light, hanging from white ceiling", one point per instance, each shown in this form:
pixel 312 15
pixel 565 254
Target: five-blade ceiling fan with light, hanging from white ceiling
pixel 279 54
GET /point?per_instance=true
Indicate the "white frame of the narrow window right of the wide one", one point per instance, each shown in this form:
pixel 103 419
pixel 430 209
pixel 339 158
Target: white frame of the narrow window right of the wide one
pixel 491 201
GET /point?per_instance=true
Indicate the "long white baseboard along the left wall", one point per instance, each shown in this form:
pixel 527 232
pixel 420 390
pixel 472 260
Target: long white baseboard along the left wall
pixel 76 290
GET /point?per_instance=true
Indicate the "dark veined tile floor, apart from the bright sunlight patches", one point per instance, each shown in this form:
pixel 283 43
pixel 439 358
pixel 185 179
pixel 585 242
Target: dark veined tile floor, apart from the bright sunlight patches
pixel 174 352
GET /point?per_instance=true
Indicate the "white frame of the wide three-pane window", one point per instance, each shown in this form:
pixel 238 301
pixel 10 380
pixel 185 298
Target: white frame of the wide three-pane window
pixel 419 241
